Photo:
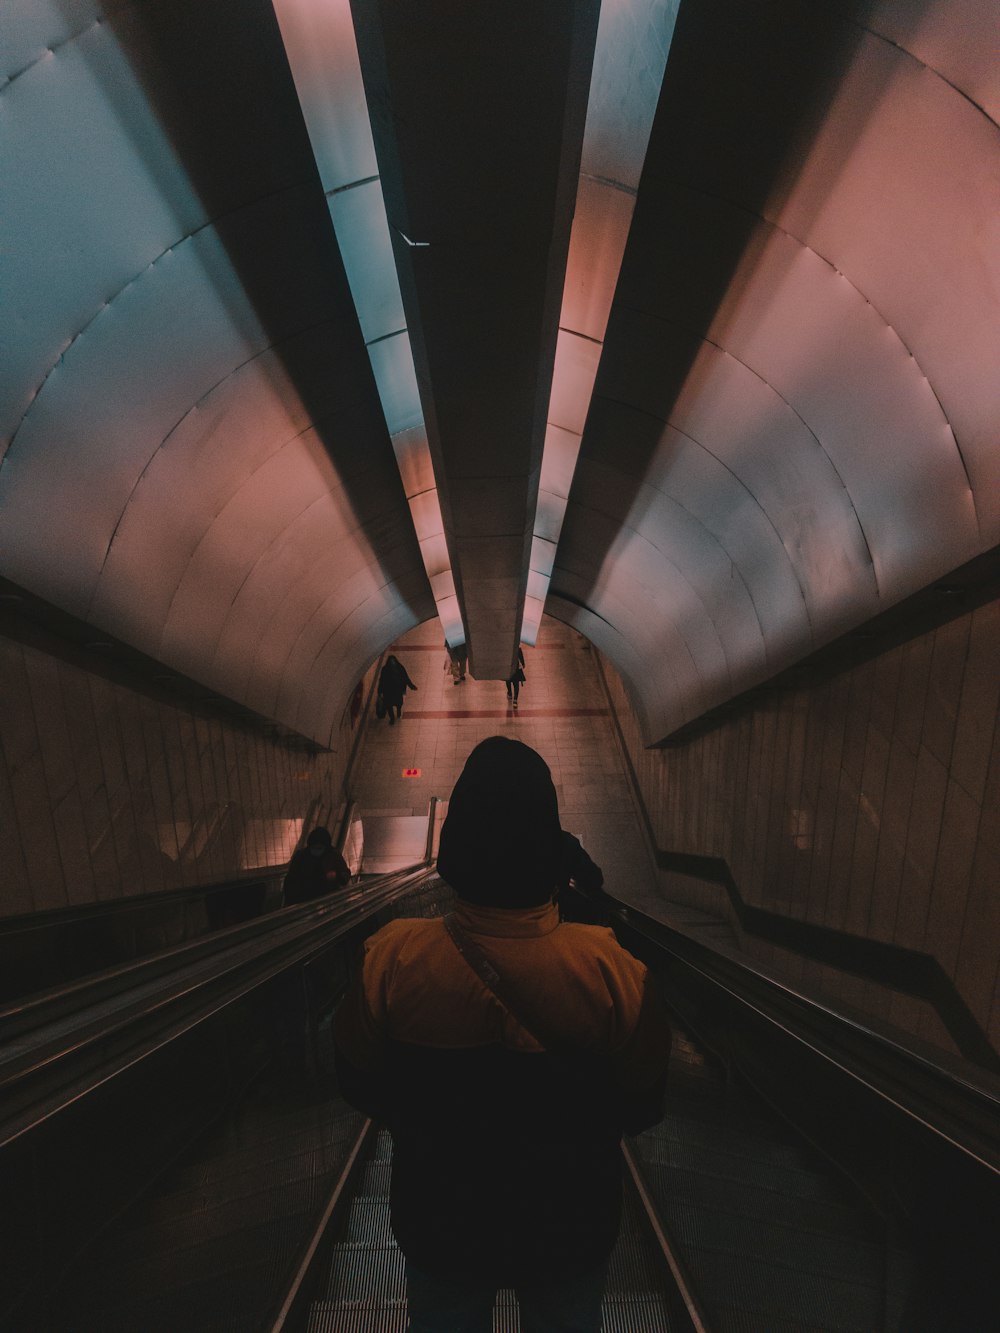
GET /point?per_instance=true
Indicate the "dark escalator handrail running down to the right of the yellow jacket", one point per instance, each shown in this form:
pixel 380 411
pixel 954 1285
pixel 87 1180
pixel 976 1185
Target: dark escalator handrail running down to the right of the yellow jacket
pixel 954 1100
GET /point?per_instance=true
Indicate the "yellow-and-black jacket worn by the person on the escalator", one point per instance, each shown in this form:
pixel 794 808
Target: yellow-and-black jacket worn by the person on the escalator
pixel 506 1158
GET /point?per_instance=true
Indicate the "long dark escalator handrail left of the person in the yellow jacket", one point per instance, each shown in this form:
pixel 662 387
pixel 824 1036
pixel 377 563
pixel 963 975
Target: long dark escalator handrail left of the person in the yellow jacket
pixel 74 1039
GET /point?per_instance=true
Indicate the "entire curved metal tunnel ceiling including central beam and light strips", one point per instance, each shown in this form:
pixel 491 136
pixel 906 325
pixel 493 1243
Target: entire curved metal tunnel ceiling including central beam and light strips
pixel 795 421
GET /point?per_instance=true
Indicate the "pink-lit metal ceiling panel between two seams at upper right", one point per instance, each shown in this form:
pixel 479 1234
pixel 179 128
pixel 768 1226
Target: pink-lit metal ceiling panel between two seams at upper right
pixel 926 258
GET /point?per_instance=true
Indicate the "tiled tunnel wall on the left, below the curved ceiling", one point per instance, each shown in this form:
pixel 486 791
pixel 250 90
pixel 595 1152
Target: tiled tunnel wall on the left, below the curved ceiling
pixel 107 792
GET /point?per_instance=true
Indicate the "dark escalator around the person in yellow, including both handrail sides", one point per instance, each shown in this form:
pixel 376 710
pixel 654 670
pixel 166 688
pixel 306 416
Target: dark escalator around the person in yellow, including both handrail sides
pixel 809 1176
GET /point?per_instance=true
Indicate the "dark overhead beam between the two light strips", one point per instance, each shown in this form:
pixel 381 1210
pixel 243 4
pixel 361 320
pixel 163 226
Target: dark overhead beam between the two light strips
pixel 478 114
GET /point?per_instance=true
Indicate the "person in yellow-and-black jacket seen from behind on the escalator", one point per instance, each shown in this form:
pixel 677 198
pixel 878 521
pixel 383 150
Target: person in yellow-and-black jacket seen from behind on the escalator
pixel 507 1052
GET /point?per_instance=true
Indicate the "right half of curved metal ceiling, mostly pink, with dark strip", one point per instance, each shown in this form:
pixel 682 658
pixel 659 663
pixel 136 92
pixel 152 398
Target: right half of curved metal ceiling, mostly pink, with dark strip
pixel 799 355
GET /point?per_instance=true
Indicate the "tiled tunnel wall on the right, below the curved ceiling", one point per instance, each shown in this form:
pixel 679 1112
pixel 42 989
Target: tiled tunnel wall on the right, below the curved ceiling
pixel 869 802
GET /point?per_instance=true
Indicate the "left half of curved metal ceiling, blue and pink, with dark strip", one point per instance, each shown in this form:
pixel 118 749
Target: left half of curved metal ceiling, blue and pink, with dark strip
pixel 199 455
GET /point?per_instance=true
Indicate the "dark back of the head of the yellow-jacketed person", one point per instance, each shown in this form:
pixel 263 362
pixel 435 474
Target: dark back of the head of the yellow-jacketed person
pixel 501 842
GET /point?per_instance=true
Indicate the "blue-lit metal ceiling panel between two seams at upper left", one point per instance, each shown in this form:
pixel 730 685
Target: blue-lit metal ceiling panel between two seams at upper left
pixel 82 209
